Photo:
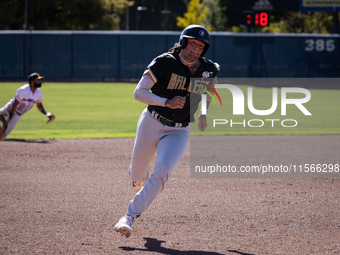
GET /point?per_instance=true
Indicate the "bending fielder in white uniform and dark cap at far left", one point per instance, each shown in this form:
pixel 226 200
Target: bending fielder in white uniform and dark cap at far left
pixel 25 98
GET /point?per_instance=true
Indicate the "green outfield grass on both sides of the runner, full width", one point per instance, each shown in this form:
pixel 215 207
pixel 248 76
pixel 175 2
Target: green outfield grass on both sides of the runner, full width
pixel 106 110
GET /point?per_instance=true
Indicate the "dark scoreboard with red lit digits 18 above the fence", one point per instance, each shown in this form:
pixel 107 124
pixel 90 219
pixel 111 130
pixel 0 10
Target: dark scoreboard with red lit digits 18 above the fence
pixel 257 12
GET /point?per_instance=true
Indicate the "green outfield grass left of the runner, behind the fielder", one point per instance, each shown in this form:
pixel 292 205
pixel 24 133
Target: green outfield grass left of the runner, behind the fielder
pixel 83 110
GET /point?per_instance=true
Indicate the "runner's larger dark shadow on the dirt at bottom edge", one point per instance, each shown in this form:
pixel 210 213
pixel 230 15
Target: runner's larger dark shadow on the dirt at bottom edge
pixel 154 245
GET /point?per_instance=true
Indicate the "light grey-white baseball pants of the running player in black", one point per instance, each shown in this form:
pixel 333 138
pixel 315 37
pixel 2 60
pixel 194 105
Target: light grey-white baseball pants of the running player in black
pixel 154 137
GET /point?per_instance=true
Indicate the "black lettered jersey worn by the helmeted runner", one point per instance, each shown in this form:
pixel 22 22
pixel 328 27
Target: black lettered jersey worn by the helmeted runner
pixel 173 78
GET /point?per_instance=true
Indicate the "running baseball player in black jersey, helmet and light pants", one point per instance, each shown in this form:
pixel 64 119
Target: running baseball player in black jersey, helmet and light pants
pixel 164 126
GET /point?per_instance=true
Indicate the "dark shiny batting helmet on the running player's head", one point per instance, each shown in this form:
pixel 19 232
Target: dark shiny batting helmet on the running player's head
pixel 195 32
